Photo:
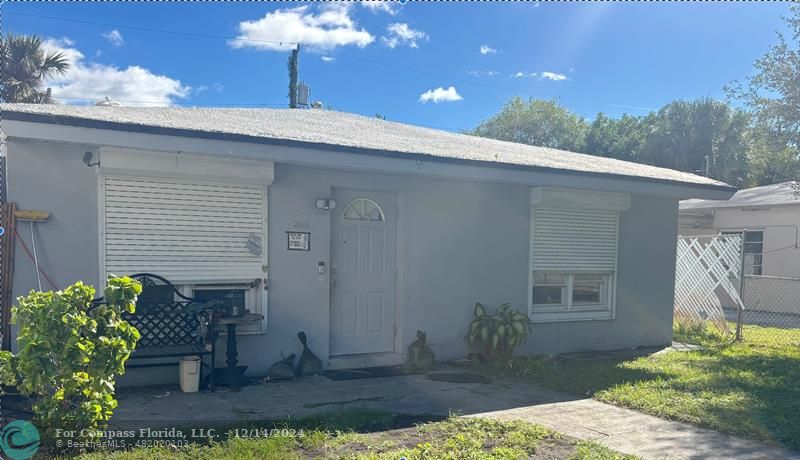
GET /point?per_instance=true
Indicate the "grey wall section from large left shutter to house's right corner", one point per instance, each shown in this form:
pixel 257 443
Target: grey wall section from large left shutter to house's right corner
pixel 459 243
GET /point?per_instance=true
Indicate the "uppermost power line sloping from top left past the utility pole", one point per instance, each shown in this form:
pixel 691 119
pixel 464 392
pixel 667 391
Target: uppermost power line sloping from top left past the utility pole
pixel 348 56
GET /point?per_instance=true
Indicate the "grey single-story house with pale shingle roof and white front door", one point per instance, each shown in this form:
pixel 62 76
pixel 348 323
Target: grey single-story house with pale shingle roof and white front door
pixel 367 230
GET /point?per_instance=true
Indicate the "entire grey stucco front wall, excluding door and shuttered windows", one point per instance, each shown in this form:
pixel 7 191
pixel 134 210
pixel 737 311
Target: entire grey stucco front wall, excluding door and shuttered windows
pixel 459 242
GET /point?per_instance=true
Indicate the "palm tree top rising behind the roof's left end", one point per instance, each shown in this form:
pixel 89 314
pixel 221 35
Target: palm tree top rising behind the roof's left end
pixel 24 66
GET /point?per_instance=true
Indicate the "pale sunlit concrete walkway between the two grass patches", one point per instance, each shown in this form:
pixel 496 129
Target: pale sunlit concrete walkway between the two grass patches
pixel 634 433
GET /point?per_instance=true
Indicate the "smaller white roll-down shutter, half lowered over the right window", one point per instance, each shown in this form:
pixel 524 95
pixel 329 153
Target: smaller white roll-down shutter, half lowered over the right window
pixel 574 240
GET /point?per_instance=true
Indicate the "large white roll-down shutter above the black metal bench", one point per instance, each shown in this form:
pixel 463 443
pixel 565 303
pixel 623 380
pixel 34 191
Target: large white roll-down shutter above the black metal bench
pixel 186 231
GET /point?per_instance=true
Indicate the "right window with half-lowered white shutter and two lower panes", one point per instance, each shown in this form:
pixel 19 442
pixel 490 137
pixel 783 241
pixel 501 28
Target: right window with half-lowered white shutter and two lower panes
pixel 573 255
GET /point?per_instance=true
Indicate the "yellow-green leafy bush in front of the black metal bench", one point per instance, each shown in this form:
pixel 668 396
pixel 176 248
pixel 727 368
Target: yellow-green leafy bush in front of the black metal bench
pixel 70 354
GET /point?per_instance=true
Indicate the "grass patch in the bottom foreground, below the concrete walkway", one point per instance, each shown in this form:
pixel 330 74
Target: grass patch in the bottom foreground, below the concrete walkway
pixel 454 438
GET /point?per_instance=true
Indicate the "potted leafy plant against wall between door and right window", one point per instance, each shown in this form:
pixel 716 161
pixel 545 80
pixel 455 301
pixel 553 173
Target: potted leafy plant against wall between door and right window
pixel 496 336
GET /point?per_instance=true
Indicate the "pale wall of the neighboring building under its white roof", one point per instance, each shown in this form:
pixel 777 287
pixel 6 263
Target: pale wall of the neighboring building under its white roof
pixel 780 225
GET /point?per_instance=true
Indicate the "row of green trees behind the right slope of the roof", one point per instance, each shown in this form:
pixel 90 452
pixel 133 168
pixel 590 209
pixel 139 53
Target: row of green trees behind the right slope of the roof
pixel 684 135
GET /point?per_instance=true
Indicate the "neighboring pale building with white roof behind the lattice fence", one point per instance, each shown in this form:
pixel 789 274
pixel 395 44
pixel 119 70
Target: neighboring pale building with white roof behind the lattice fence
pixel 771 216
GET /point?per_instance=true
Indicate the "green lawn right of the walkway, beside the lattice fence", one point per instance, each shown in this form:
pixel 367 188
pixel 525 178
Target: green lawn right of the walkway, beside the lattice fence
pixel 749 389
